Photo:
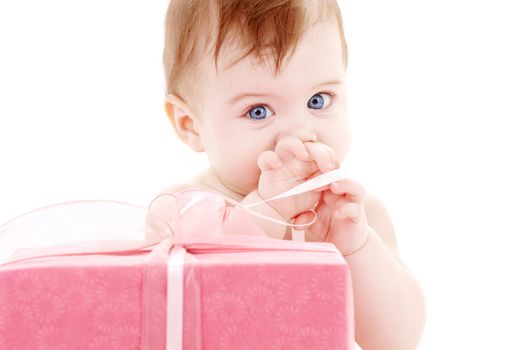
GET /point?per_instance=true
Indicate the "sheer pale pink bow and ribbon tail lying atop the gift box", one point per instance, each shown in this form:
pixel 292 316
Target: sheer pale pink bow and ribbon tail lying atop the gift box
pixel 98 226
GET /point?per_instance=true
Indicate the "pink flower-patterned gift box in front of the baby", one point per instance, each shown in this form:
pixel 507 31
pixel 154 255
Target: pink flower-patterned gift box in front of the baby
pixel 256 293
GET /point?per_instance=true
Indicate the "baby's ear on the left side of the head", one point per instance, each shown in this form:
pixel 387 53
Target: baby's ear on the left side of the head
pixel 184 122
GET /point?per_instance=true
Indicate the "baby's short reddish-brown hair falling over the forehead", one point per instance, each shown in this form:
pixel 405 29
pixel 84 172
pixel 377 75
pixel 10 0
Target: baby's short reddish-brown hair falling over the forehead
pixel 261 25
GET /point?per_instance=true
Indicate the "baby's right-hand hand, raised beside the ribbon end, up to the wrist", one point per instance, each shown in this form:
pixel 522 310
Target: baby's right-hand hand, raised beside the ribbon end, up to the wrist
pixel 341 217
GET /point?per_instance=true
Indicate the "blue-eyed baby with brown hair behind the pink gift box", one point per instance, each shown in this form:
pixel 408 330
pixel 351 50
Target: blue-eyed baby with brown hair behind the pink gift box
pixel 259 85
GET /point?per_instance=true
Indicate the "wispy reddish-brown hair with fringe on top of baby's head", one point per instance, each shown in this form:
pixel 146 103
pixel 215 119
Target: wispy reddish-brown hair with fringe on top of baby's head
pixel 210 41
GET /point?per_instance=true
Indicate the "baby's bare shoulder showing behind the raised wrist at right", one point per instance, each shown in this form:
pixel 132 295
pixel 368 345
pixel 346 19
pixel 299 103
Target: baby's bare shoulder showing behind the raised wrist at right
pixel 379 219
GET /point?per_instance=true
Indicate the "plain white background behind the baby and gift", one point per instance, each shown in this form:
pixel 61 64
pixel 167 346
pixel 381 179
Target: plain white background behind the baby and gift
pixel 436 102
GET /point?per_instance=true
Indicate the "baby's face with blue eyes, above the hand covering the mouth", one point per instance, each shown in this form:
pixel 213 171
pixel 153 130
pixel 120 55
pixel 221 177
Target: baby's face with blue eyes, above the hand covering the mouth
pixel 245 109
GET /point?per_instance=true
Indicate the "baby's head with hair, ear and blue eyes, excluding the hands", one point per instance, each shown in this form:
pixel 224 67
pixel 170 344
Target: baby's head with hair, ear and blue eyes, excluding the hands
pixel 241 74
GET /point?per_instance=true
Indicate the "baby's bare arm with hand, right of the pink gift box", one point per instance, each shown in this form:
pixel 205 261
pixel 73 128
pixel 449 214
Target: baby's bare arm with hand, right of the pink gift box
pixel 389 304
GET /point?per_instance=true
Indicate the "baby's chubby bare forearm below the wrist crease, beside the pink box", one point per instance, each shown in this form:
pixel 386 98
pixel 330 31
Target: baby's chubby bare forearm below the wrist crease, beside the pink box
pixel 389 302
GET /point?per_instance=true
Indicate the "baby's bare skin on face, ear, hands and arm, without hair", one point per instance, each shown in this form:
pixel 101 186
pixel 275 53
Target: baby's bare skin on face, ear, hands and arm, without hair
pixel 263 134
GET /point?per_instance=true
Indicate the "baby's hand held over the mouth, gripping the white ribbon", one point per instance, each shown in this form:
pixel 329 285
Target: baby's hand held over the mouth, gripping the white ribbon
pixel 292 163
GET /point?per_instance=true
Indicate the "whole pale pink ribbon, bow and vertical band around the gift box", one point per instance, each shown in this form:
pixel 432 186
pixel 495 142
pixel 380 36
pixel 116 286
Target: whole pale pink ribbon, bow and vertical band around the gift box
pixel 203 225
